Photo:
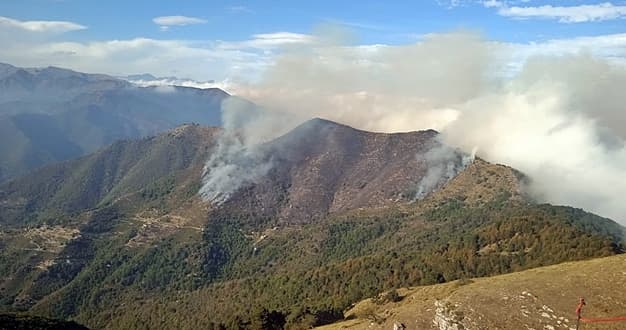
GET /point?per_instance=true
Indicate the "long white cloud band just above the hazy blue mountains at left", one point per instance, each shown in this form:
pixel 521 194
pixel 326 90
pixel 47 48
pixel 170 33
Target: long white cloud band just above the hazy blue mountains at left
pixel 196 60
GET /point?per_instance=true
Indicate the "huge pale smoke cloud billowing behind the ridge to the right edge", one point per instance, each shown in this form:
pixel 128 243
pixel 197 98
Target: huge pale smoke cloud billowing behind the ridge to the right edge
pixel 561 120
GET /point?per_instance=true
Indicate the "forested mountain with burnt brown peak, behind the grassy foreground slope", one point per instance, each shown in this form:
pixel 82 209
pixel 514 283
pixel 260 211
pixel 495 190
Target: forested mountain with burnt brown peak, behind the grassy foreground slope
pixel 121 238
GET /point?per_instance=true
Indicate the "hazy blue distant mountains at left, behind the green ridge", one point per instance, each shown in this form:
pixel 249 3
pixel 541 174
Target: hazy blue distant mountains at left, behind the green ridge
pixel 53 114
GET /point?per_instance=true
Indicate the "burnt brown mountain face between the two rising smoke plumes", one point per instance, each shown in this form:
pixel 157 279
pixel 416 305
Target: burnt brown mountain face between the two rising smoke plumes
pixel 323 167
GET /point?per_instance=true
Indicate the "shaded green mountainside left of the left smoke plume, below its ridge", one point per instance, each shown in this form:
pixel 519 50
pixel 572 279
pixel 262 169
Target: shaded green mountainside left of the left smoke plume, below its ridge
pixel 122 168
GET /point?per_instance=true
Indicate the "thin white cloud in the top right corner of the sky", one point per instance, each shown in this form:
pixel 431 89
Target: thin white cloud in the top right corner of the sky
pixel 566 14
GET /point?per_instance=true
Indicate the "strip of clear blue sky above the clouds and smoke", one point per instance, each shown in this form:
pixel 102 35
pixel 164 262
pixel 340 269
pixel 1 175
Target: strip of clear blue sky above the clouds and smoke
pixel 376 21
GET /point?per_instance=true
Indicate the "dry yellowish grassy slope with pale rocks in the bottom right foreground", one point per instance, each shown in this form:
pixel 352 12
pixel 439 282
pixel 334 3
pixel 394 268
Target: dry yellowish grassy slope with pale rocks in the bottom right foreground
pixel 540 298
